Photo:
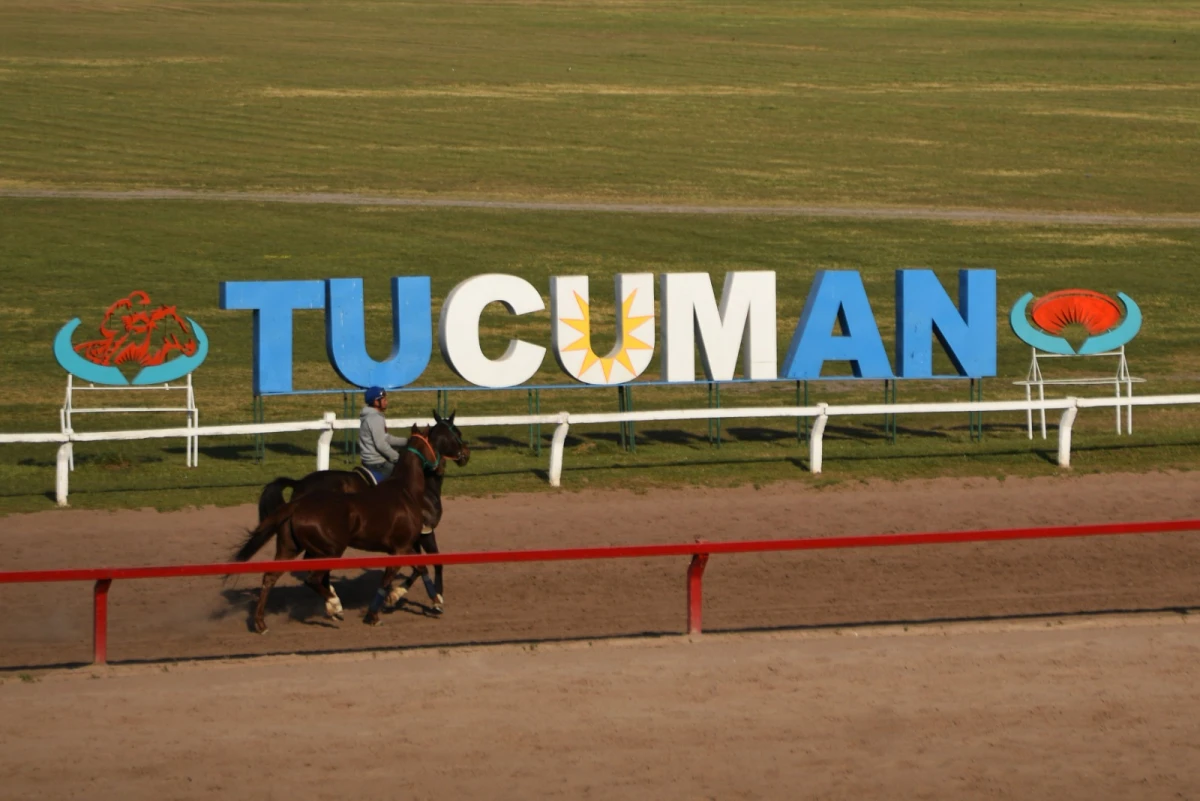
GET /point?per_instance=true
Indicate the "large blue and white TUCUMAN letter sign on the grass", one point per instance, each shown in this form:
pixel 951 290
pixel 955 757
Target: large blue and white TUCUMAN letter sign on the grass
pixel 837 326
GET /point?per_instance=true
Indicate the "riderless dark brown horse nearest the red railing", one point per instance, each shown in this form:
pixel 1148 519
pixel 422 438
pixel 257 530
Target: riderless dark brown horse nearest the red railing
pixel 386 519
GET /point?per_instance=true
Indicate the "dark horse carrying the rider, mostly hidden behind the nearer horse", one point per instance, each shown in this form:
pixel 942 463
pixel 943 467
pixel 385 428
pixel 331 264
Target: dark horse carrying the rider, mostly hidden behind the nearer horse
pixel 355 481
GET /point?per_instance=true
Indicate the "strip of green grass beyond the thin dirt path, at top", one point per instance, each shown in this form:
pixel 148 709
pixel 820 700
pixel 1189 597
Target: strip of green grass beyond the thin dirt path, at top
pixel 1039 106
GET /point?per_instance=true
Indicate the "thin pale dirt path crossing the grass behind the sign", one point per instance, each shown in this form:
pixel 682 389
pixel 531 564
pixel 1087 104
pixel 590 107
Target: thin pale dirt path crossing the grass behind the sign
pixel 853 213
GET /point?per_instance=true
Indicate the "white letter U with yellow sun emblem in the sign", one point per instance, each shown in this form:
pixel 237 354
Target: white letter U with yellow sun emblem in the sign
pixel 573 329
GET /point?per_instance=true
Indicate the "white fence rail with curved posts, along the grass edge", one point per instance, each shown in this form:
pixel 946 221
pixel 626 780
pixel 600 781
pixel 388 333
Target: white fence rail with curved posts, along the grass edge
pixel 563 421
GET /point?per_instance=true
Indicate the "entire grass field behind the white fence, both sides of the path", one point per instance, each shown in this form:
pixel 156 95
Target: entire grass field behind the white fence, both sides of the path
pixel 1084 107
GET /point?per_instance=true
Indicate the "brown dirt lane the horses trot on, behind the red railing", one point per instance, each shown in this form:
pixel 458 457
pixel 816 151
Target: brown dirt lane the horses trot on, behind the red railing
pixel 167 619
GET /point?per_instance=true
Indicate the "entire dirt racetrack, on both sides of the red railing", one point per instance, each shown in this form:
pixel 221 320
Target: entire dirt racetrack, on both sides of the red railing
pixel 806 695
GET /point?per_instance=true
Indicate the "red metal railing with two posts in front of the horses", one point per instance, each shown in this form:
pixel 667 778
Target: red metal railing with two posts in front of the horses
pixel 700 552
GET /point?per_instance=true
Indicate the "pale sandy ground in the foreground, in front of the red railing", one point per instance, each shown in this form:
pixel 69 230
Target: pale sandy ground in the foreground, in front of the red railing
pixel 1085 710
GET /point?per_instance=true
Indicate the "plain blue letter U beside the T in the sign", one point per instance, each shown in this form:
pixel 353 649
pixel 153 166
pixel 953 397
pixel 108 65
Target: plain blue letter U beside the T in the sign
pixel 412 333
